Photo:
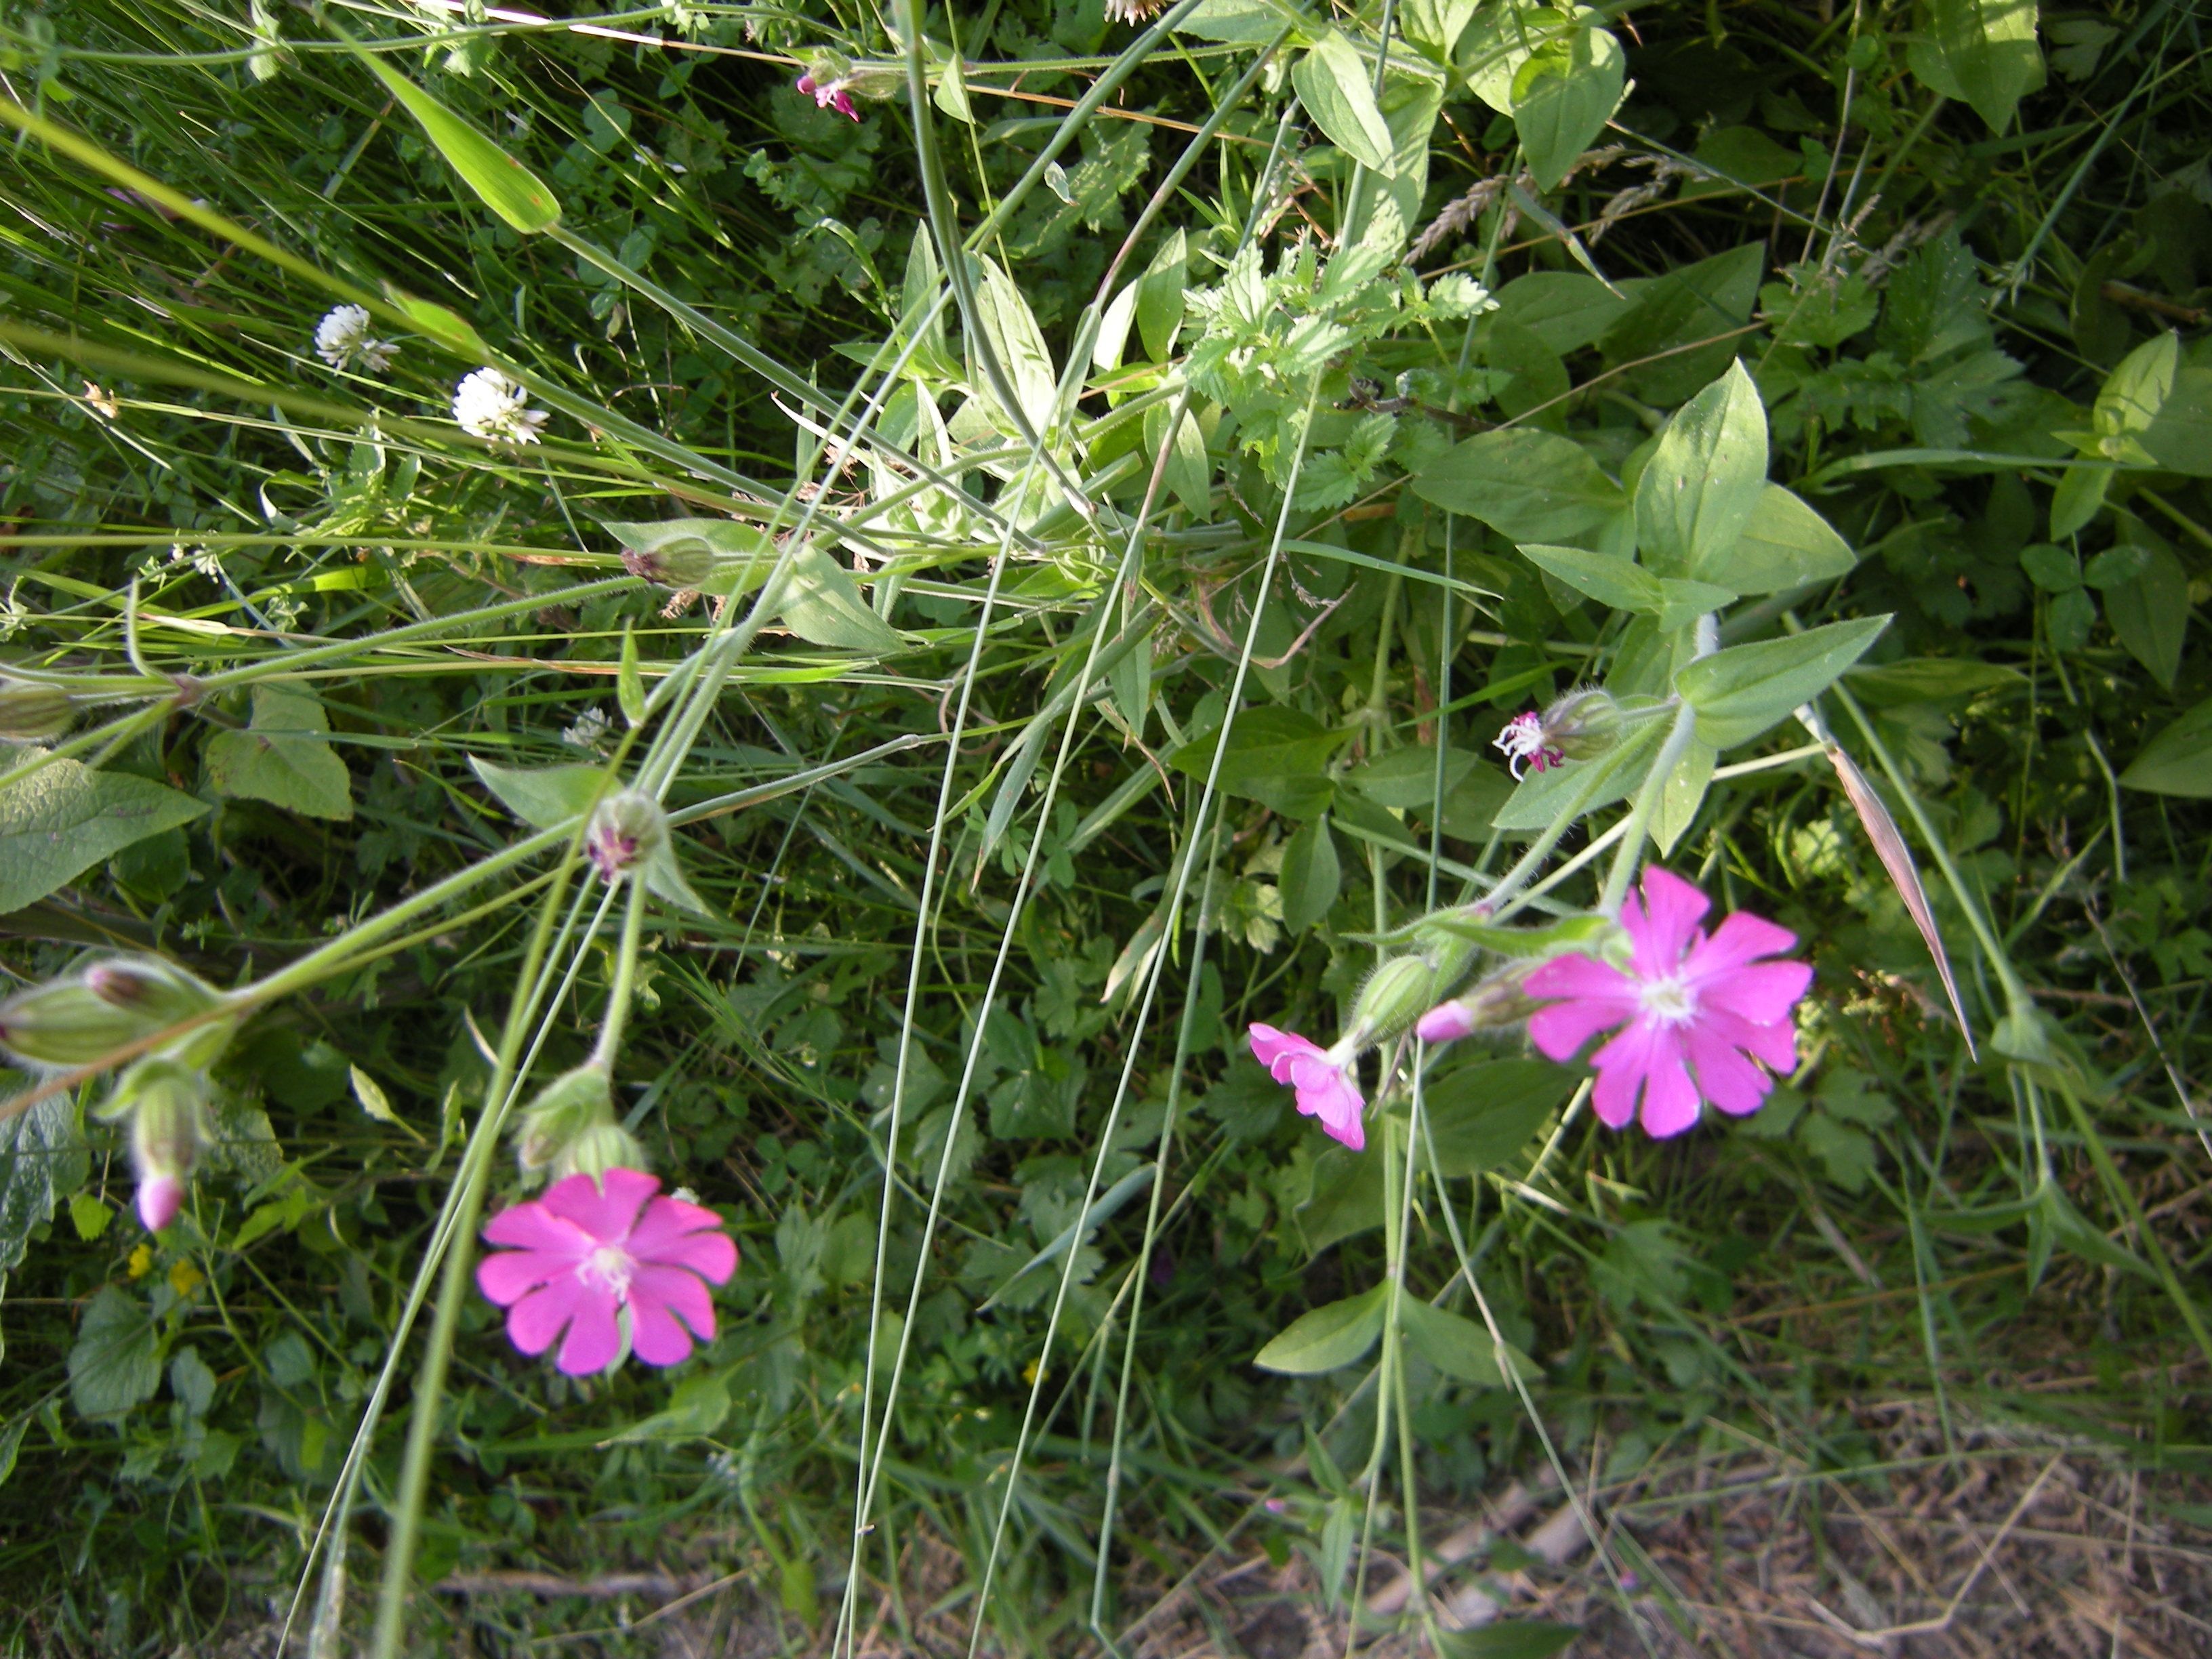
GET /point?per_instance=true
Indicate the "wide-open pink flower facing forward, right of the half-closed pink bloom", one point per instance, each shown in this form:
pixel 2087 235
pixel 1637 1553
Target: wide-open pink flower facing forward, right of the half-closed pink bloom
pixel 1687 1003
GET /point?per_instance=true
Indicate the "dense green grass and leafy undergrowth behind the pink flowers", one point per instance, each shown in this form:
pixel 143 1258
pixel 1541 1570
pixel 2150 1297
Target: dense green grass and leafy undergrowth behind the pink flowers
pixel 1961 255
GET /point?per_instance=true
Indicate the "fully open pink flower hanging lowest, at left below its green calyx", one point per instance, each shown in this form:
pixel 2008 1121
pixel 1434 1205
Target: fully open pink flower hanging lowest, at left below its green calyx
pixel 592 1251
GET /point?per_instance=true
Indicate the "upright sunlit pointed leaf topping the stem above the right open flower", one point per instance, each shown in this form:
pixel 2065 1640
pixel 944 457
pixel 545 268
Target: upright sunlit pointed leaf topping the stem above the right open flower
pixel 1704 481
